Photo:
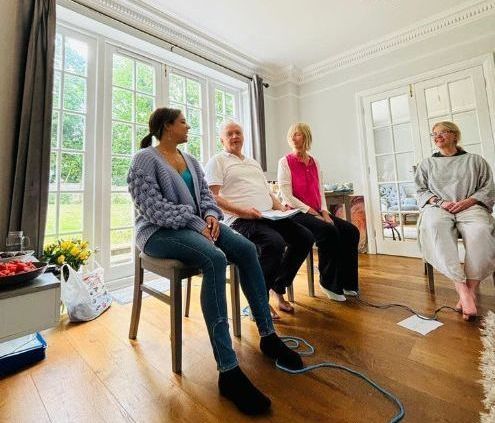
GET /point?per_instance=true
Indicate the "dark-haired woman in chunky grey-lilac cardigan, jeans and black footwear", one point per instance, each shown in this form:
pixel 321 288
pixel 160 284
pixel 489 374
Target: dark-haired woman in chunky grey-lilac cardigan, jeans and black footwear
pixel 178 218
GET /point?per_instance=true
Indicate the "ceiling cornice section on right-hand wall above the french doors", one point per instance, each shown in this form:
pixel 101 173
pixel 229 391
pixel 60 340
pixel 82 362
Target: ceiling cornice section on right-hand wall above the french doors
pixel 430 27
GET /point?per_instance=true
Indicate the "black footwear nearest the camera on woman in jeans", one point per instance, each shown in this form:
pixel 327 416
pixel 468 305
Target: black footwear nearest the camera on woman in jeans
pixel 235 386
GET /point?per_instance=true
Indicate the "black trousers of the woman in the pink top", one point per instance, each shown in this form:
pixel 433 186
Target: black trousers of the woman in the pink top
pixel 337 251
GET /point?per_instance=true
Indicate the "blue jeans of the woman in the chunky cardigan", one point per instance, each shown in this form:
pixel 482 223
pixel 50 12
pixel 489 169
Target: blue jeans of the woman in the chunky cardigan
pixel 192 248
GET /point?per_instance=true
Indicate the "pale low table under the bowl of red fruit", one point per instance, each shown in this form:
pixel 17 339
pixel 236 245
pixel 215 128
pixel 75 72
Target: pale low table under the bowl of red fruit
pixel 29 308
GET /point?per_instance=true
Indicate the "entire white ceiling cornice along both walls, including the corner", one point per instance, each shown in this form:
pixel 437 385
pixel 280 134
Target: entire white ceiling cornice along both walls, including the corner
pixel 149 19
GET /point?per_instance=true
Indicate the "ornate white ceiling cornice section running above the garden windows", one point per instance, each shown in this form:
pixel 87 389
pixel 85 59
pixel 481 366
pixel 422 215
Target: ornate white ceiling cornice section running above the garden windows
pixel 151 20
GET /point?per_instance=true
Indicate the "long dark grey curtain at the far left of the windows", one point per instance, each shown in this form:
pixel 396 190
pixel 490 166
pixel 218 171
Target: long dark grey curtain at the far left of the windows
pixel 31 143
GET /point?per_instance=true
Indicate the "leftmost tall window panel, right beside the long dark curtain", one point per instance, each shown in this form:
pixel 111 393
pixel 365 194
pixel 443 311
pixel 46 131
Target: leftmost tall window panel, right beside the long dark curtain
pixel 68 162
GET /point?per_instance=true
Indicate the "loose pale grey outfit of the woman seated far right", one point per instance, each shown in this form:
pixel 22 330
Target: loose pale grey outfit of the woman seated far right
pixel 456 178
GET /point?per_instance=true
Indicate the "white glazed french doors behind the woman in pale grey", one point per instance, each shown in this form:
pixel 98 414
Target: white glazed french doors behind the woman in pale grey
pixel 398 123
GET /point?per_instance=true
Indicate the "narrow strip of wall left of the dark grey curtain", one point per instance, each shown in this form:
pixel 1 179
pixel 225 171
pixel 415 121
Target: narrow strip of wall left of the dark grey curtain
pixel 9 98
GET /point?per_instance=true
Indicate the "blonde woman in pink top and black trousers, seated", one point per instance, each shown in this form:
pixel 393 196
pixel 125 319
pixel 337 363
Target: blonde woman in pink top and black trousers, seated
pixel 301 186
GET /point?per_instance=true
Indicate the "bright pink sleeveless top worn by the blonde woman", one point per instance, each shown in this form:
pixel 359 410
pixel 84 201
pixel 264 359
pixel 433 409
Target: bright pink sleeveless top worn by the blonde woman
pixel 305 181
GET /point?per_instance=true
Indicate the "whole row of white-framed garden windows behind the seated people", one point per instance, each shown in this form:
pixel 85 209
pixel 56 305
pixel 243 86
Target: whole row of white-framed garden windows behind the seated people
pixel 100 114
